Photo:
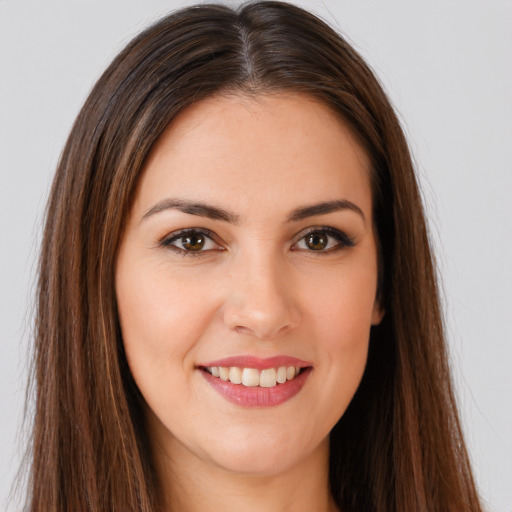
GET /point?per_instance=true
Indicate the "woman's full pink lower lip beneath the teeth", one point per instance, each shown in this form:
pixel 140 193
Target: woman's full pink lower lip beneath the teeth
pixel 256 396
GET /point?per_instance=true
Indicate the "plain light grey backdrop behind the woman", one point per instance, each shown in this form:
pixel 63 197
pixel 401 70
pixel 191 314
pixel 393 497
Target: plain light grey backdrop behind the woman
pixel 447 68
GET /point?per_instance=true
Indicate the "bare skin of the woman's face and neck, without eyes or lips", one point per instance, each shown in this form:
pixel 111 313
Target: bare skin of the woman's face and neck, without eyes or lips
pixel 256 287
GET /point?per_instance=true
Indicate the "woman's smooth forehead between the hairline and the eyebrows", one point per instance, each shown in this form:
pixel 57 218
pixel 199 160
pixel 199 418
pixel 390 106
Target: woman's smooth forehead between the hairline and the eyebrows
pixel 279 149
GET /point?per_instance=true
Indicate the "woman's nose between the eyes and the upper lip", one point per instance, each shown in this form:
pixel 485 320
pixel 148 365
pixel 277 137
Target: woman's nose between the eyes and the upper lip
pixel 261 301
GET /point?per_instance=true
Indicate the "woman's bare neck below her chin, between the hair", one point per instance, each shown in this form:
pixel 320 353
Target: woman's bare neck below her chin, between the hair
pixel 200 485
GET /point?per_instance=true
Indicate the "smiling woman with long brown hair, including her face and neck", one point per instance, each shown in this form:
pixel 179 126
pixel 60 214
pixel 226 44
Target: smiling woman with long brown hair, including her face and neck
pixel 237 301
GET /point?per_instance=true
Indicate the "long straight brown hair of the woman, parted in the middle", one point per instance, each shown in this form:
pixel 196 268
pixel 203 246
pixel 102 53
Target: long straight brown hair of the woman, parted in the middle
pixel 399 445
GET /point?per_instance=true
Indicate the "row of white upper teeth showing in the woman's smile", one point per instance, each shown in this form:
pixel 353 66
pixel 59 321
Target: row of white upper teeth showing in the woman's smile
pixel 252 377
